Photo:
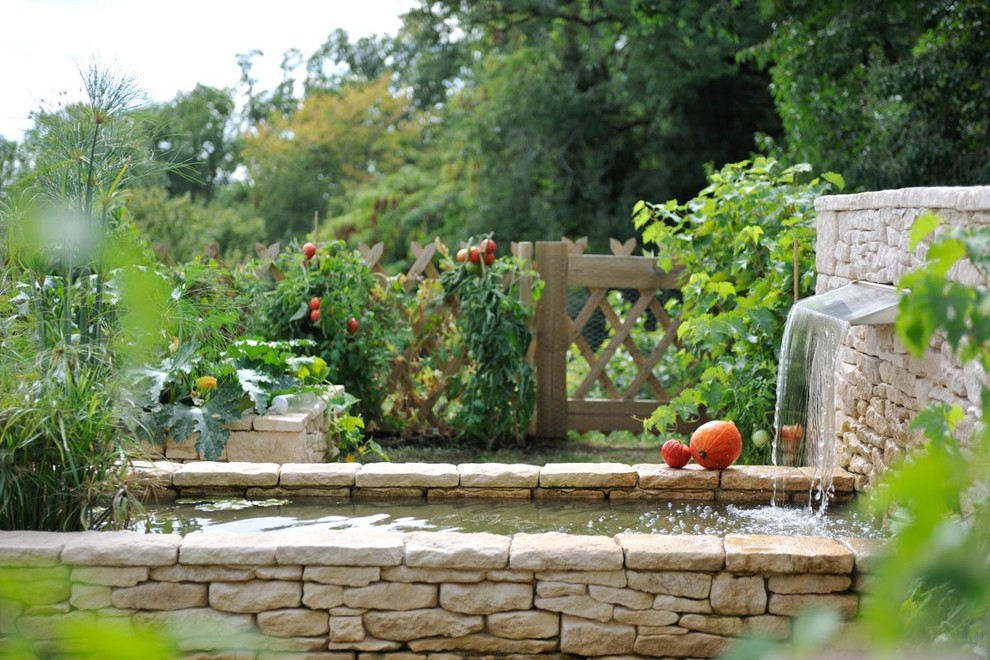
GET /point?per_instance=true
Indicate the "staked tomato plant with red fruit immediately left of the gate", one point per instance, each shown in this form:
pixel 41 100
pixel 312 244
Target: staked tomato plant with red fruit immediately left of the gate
pixel 496 389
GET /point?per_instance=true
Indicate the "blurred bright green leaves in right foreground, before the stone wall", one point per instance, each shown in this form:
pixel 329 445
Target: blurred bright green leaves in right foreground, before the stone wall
pixel 931 584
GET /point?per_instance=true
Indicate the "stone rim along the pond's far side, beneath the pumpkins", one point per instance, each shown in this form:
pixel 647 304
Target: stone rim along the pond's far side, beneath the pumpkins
pixel 614 481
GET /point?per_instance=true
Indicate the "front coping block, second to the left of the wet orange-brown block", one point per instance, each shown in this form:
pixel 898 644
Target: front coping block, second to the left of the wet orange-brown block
pixel 554 551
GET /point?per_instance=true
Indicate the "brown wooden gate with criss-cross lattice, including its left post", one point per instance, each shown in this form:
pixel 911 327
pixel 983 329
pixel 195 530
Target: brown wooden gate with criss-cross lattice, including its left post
pixel 562 268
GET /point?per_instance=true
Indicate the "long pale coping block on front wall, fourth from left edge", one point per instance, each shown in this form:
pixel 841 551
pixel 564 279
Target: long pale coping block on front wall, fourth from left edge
pixel 338 548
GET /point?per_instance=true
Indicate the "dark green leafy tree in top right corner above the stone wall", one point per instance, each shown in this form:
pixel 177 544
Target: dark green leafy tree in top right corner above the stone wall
pixel 891 94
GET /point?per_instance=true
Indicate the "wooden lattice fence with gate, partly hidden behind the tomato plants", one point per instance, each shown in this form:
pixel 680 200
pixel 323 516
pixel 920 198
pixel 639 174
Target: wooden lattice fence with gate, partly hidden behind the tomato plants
pixel 596 399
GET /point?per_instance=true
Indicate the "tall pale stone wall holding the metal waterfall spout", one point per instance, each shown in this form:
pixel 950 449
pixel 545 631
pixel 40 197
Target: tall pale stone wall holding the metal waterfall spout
pixel 880 387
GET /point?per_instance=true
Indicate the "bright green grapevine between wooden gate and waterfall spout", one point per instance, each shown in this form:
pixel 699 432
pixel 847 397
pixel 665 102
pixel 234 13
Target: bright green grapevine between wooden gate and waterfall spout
pixel 734 246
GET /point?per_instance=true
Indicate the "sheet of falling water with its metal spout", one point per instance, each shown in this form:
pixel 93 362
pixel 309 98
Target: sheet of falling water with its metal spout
pixel 804 420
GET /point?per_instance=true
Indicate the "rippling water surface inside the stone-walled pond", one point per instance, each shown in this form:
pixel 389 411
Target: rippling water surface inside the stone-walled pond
pixel 508 517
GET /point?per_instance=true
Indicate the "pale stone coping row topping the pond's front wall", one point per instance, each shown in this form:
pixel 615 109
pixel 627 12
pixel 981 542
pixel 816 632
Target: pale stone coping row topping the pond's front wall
pixel 548 551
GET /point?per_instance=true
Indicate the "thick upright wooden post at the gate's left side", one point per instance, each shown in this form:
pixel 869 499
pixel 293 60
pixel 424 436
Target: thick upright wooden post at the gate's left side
pixel 551 341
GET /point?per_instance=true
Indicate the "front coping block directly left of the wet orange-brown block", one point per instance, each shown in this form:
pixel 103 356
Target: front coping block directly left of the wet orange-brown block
pixel 672 552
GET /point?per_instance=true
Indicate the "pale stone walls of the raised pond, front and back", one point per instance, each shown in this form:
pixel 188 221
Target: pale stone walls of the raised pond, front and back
pixel 346 594
